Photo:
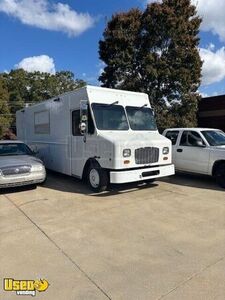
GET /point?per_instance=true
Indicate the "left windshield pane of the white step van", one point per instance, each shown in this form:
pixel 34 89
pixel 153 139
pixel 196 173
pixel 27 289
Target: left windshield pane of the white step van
pixel 110 117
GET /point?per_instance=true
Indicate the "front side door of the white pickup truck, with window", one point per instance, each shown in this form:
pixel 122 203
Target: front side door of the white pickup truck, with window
pixel 192 154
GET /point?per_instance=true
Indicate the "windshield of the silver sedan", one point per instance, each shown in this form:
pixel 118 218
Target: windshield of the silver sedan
pixel 7 149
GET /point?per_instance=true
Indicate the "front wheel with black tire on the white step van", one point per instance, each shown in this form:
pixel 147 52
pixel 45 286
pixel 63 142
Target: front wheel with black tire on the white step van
pixel 97 178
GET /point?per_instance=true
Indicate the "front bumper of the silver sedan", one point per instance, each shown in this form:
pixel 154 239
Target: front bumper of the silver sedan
pixel 23 179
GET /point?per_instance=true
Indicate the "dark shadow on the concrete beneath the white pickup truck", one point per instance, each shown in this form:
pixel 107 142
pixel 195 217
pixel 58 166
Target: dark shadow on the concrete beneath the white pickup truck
pixel 193 180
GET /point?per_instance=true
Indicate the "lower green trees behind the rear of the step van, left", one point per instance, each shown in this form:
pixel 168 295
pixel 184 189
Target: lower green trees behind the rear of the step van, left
pixel 19 88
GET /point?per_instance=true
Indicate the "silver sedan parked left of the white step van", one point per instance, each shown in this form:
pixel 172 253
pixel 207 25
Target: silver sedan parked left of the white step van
pixel 19 166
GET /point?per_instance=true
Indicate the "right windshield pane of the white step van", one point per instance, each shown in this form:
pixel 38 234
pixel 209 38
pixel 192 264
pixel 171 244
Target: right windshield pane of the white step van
pixel 141 118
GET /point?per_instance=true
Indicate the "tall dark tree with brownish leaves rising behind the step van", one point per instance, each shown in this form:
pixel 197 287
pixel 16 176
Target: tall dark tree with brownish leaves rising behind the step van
pixel 165 60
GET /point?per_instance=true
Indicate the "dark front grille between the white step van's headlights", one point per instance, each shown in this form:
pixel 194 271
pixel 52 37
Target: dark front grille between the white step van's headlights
pixel 147 155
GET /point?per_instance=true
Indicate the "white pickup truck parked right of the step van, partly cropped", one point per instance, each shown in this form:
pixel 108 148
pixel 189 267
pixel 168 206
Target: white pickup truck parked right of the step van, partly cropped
pixel 198 150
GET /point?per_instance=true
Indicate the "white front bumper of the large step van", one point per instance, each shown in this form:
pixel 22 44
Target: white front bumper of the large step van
pixel 141 174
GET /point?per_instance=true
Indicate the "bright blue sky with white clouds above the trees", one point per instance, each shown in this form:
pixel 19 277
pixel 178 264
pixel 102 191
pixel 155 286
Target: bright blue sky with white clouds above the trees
pixel 51 36
